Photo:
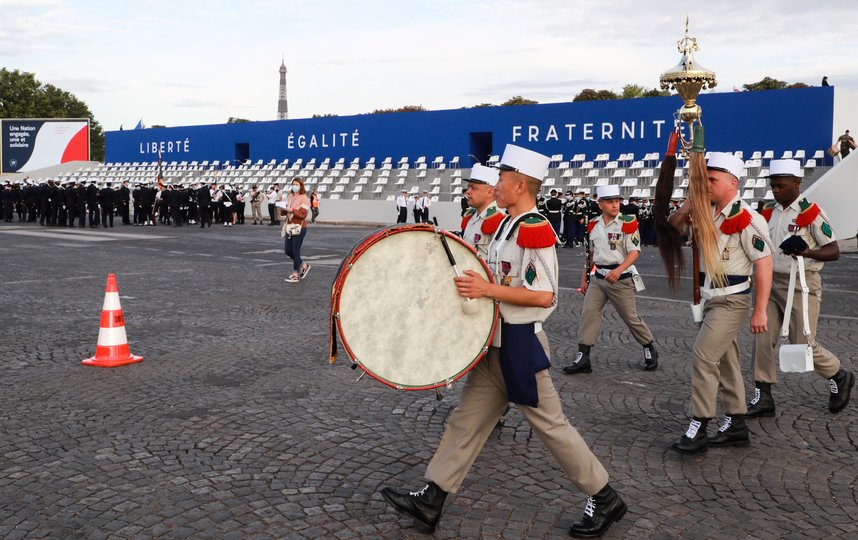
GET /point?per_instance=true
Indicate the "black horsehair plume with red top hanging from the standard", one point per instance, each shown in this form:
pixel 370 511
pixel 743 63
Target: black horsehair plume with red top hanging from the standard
pixel 669 239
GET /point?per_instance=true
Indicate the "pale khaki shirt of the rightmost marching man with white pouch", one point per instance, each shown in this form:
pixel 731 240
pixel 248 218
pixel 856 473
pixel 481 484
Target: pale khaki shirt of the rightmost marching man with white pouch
pixel 782 225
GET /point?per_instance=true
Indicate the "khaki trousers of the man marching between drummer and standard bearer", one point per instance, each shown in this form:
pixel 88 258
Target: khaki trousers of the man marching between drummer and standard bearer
pixel 622 296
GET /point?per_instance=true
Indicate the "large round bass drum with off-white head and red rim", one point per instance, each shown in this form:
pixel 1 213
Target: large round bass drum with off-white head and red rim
pixel 399 314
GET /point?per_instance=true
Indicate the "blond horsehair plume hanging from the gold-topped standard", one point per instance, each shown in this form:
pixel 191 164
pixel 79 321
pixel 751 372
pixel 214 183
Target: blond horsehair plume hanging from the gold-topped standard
pixel 704 233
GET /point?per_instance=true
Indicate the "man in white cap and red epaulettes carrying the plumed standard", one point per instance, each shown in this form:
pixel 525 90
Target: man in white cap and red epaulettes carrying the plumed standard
pixel 744 244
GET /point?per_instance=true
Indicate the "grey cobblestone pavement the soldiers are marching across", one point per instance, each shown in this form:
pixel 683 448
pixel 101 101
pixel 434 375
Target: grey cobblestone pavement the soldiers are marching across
pixel 235 426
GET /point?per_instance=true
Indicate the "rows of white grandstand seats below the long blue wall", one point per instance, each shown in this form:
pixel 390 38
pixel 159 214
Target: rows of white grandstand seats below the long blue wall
pixel 636 176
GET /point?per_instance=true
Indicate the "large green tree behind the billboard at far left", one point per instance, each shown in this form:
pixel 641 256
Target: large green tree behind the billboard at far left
pixel 23 96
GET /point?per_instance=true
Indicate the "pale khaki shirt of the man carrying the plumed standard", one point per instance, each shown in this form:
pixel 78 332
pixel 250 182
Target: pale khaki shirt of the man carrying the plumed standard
pixel 740 250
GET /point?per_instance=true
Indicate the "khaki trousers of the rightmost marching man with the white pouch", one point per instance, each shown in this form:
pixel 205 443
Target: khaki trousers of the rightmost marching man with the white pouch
pixel 763 360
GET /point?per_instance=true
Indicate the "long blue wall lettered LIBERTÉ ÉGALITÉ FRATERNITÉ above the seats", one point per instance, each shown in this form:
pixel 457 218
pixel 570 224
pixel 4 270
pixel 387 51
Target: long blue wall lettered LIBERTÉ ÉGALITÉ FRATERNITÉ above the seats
pixel 778 120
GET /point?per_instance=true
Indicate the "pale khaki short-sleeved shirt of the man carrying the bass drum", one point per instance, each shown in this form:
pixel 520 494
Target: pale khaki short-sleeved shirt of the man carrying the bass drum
pixel 515 266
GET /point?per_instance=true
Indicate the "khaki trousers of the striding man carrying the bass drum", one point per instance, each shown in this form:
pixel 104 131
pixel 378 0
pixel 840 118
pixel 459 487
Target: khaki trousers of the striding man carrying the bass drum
pixel 481 405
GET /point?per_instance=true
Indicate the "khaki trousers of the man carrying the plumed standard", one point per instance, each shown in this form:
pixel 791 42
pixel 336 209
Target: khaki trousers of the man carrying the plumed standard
pixel 716 357
